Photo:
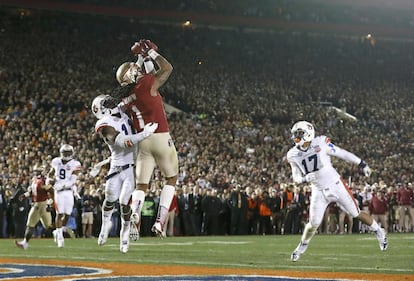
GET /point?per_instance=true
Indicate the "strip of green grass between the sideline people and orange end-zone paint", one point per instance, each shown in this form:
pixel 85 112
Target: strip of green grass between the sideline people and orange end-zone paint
pixel 327 253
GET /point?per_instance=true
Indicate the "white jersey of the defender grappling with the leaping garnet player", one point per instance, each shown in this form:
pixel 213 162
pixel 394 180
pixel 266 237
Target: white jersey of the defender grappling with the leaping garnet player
pixel 120 156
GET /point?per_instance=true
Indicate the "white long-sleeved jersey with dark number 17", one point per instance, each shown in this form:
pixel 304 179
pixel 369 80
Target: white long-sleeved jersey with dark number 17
pixel 317 159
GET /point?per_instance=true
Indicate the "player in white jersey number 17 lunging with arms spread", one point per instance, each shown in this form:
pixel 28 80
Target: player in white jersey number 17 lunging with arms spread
pixel 311 163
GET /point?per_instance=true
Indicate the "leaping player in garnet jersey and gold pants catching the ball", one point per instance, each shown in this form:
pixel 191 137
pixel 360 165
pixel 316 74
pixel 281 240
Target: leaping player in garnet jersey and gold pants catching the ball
pixel 141 100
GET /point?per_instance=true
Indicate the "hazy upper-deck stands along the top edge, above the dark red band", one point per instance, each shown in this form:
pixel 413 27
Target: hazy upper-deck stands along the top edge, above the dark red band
pixel 397 14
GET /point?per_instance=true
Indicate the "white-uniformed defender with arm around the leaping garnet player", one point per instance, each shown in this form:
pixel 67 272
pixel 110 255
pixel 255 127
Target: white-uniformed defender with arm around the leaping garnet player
pixel 114 127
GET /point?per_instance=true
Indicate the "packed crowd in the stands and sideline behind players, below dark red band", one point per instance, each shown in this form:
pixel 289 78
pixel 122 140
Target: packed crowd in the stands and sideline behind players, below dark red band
pixel 239 92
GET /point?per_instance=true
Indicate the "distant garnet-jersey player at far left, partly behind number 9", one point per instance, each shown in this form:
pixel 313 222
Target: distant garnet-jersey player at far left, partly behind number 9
pixel 42 195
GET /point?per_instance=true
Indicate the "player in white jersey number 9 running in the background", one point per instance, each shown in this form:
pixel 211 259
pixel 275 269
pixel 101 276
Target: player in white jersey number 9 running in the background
pixel 63 177
